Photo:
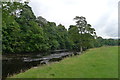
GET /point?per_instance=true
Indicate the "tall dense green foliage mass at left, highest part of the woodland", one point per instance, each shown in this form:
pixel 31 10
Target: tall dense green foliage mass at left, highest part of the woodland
pixel 21 33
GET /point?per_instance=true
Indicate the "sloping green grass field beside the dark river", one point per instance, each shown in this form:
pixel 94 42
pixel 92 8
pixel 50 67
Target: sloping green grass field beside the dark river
pixel 94 63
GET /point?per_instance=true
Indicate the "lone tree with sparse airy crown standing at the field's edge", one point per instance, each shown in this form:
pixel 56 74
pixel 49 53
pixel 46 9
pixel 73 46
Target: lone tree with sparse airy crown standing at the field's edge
pixel 85 30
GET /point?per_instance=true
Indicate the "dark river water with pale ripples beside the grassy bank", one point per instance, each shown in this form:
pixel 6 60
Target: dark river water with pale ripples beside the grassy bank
pixel 16 63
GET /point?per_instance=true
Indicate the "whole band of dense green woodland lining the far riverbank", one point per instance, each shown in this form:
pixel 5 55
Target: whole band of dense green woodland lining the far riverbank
pixel 23 32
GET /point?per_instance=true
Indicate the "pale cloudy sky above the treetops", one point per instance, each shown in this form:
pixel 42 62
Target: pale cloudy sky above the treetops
pixel 101 14
